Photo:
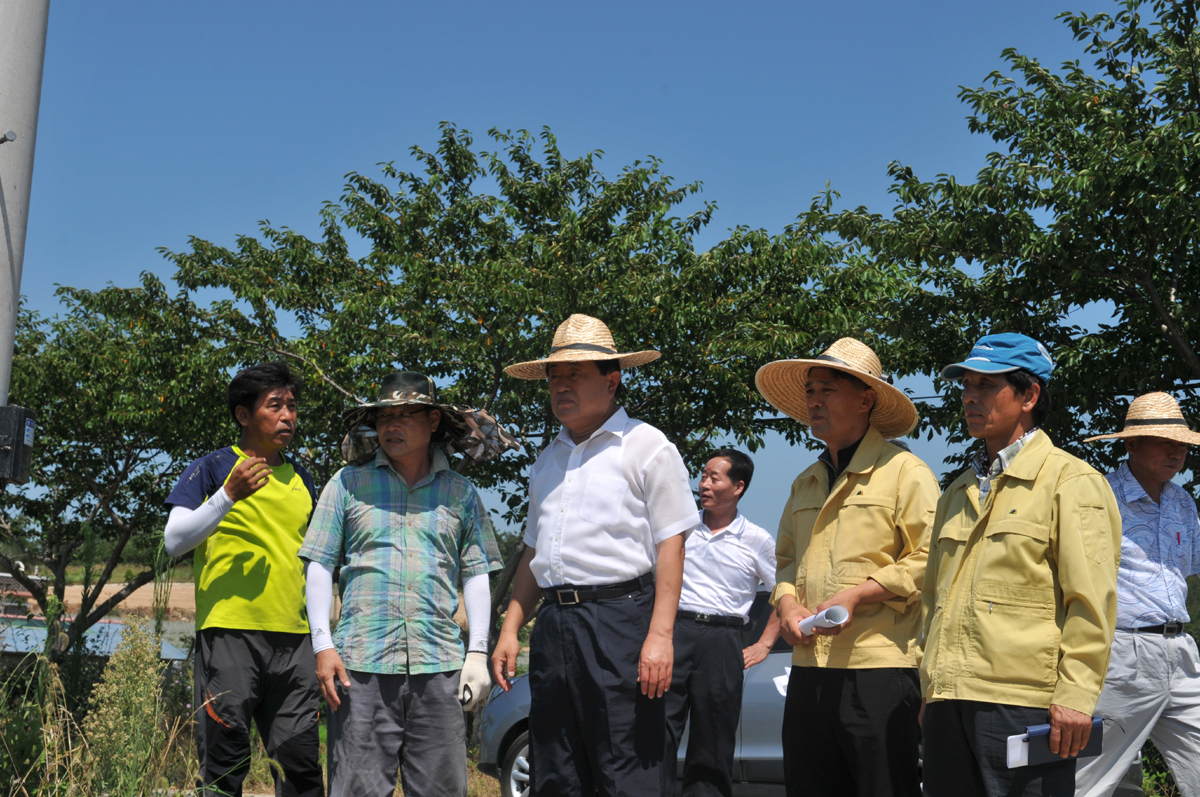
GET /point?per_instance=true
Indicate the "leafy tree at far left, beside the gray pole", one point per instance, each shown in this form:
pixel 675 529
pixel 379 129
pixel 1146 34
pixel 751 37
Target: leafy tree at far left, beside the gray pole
pixel 124 402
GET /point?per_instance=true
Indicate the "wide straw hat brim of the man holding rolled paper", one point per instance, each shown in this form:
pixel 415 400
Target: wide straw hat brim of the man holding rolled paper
pixel 783 383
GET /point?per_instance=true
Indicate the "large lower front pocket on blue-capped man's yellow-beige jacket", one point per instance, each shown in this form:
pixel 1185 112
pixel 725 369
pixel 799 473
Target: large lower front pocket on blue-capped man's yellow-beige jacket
pixel 1015 637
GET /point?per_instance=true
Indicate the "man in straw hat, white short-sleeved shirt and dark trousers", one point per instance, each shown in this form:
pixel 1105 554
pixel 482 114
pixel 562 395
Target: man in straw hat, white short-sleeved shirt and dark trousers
pixel 609 507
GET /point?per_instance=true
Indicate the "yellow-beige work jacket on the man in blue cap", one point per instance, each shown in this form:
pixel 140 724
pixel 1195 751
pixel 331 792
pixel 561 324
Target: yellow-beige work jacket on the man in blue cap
pixel 1022 590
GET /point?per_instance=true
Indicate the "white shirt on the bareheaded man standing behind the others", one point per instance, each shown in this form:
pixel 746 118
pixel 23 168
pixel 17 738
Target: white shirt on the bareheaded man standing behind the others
pixel 722 572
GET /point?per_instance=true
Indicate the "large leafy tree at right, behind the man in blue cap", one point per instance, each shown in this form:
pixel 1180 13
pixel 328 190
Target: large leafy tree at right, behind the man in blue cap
pixel 1090 203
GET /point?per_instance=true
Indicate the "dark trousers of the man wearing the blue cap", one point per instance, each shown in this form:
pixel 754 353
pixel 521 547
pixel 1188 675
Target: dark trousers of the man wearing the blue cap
pixel 967 753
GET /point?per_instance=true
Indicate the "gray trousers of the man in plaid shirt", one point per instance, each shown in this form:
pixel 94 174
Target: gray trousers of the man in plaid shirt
pixel 411 723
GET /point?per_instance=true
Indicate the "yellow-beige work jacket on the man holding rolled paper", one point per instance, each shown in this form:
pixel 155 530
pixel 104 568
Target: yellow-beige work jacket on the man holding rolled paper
pixel 873 523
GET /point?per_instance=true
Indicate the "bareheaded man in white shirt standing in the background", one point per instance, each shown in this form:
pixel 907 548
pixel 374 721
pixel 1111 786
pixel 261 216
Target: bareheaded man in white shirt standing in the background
pixel 727 559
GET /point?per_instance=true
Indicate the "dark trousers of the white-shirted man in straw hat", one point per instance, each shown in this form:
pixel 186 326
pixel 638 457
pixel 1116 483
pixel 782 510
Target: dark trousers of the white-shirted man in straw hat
pixel 591 729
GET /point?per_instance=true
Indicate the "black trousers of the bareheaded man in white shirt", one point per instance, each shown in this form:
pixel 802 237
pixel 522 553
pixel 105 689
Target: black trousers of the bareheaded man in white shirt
pixel 706 685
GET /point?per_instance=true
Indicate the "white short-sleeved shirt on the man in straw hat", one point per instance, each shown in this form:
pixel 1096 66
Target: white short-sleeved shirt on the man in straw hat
pixel 598 510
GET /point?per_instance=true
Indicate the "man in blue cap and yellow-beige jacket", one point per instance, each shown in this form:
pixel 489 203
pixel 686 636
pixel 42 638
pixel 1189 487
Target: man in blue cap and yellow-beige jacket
pixel 1022 589
